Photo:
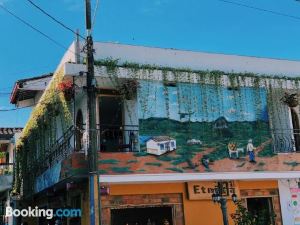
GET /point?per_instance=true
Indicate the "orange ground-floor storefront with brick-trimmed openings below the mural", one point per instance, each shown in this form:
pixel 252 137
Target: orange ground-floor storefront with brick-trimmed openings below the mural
pixel 184 203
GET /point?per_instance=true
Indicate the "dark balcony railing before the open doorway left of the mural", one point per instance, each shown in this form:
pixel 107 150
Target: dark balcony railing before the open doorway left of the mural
pixel 117 138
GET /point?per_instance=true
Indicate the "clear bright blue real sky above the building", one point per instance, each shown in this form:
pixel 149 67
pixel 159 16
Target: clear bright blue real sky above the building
pixel 199 25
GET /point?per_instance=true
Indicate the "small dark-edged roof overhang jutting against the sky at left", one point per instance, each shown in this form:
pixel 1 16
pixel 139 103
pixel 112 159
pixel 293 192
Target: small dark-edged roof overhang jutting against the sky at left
pixel 19 94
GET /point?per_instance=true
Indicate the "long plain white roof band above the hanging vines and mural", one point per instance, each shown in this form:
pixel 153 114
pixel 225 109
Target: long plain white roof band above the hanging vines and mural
pixel 196 60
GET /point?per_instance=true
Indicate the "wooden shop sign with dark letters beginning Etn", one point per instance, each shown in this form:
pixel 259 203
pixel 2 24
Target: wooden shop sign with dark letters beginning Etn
pixel 203 190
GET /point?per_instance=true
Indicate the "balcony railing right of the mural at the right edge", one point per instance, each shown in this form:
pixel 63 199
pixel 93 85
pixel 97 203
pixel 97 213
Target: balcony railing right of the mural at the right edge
pixel 286 140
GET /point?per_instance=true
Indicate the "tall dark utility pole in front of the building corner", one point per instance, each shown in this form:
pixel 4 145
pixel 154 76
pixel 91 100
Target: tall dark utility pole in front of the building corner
pixel 91 120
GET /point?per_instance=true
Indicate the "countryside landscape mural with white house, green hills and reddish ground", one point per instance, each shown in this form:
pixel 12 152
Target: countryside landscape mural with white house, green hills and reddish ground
pixel 186 127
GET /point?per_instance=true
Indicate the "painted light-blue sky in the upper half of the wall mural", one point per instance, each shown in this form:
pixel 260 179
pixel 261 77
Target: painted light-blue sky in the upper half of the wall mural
pixel 201 102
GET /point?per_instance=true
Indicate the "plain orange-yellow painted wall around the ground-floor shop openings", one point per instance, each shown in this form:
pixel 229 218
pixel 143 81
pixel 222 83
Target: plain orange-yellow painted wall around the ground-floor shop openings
pixel 195 211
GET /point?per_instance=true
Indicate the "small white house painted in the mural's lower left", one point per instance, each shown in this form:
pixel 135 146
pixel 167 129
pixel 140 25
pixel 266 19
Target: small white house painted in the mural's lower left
pixel 158 145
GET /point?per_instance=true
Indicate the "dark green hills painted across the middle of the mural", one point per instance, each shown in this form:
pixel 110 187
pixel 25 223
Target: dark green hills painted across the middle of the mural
pixel 214 135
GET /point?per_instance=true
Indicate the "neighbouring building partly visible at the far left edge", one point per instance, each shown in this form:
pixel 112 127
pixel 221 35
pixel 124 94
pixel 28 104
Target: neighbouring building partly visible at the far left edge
pixel 7 145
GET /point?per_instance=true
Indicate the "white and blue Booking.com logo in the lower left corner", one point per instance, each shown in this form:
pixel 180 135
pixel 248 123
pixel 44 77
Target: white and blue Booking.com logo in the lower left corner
pixel 48 213
